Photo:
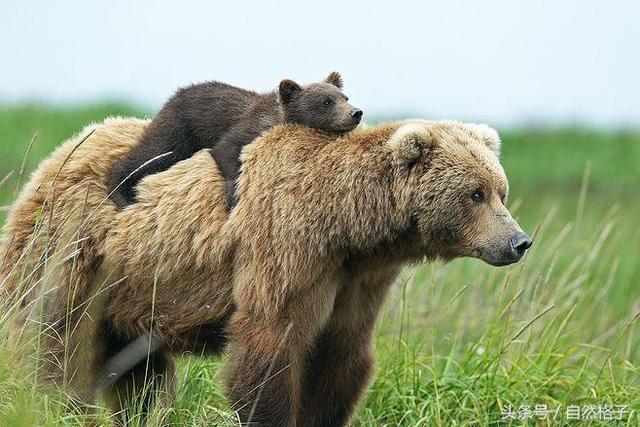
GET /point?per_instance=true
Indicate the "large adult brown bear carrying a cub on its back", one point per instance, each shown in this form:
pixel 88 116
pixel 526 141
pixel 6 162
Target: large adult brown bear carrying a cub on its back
pixel 294 276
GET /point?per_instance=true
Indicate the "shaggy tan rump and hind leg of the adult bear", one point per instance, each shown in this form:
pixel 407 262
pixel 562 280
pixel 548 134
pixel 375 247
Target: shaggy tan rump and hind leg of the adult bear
pixel 52 244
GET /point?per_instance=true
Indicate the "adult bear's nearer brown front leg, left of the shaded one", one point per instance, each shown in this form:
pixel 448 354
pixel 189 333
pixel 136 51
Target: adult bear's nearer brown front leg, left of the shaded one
pixel 267 357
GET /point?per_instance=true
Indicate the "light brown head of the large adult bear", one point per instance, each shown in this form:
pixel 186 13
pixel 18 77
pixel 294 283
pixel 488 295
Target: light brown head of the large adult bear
pixel 458 191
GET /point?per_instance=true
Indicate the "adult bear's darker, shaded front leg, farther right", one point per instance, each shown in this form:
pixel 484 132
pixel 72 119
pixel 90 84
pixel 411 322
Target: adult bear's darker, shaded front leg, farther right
pixel 341 363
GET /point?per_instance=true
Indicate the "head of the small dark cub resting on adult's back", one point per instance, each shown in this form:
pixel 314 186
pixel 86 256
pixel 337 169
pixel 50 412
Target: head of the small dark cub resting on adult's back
pixel 319 105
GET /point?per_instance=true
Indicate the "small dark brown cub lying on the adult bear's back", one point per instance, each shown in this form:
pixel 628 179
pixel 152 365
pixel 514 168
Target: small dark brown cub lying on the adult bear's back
pixel 225 118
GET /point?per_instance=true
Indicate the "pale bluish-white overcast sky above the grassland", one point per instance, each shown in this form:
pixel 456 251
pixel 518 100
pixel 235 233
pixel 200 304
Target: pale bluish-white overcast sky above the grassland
pixel 503 62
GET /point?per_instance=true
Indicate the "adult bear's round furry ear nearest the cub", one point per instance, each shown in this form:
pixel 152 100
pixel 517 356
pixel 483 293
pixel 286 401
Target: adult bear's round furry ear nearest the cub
pixel 409 143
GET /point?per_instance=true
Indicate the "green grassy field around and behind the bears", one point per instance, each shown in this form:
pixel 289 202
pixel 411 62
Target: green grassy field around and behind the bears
pixel 553 338
